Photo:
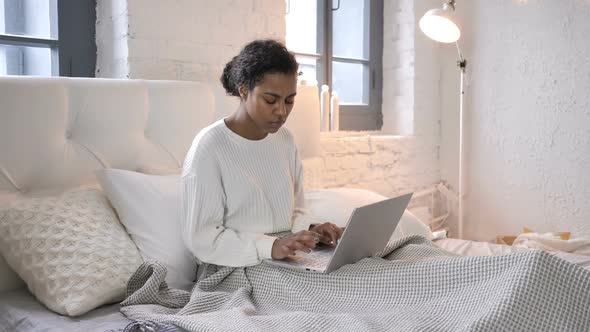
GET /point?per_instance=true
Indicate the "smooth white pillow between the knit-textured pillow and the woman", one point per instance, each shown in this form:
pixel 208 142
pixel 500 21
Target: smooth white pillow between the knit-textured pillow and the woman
pixel 149 207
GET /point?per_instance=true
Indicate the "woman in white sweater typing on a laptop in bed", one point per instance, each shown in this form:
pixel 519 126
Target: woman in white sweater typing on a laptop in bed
pixel 242 178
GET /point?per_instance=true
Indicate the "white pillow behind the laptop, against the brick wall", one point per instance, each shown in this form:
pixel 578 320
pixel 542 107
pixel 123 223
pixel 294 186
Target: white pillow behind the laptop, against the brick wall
pixel 336 205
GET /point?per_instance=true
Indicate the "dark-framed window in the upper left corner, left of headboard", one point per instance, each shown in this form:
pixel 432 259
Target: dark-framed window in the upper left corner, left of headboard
pixel 48 37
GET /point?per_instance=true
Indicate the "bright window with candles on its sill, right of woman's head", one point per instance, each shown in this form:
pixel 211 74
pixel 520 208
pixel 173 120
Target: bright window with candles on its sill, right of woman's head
pixel 340 43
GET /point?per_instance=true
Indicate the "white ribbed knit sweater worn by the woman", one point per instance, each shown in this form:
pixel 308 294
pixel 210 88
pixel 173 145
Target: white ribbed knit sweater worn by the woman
pixel 235 190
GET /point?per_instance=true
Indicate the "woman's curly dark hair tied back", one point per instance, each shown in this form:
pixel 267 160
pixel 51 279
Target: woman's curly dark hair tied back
pixel 257 58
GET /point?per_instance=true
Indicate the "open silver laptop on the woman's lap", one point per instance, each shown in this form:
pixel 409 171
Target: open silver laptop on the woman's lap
pixel 367 232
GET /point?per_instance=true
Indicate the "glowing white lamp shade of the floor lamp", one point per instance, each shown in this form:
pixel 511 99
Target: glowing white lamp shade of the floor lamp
pixel 438 25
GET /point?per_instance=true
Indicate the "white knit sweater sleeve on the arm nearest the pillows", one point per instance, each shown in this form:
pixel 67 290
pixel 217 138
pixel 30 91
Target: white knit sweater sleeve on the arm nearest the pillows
pixel 204 233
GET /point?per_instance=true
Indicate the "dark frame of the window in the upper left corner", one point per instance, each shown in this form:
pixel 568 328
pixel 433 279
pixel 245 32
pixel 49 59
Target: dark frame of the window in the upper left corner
pixel 73 52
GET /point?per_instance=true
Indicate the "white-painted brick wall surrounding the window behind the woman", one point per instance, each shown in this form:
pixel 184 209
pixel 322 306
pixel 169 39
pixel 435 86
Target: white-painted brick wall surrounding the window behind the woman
pixel 193 39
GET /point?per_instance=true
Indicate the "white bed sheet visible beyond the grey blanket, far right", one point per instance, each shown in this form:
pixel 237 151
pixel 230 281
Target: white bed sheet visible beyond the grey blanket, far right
pixel 475 248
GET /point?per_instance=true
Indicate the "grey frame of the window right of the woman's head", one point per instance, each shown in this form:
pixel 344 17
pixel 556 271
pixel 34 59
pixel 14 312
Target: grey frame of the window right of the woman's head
pixel 352 116
